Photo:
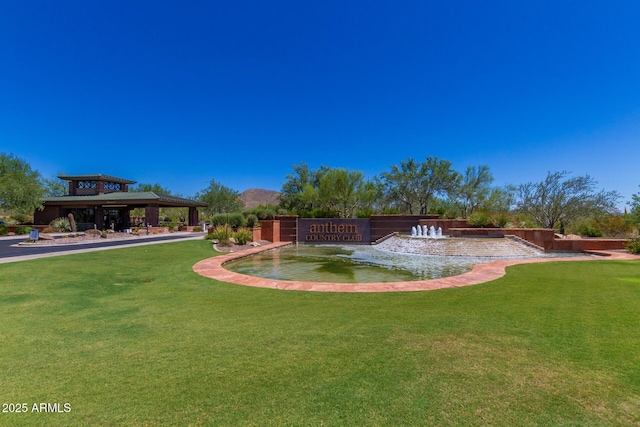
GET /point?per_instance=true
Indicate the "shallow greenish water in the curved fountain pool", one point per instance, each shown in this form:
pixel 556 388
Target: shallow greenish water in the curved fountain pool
pixel 349 264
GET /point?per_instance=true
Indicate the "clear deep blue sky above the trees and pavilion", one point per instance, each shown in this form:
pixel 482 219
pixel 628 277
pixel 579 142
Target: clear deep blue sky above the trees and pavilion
pixel 179 93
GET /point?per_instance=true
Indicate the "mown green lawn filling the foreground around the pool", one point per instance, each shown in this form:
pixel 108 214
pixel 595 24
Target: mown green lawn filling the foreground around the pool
pixel 134 337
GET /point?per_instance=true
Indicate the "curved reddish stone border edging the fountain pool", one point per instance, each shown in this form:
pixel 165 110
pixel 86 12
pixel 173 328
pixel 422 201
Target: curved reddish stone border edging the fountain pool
pixel 481 273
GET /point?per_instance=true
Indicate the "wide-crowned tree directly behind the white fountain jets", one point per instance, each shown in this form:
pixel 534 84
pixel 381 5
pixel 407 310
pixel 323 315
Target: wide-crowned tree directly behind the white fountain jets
pixel 414 185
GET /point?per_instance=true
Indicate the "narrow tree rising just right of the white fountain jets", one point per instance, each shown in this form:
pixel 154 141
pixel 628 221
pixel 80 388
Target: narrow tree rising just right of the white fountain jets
pixel 474 189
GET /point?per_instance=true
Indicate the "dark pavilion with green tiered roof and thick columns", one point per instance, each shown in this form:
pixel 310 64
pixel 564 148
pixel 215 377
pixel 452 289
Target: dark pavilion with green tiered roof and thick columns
pixel 103 201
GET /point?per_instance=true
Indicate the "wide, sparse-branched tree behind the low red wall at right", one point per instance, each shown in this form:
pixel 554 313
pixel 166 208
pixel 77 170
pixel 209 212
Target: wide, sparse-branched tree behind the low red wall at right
pixel 558 200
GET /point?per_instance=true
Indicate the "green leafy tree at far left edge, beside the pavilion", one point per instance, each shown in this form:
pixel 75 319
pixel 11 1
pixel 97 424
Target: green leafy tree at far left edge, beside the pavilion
pixel 21 190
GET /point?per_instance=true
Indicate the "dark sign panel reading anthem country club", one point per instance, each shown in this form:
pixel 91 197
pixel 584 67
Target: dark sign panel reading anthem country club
pixel 334 230
